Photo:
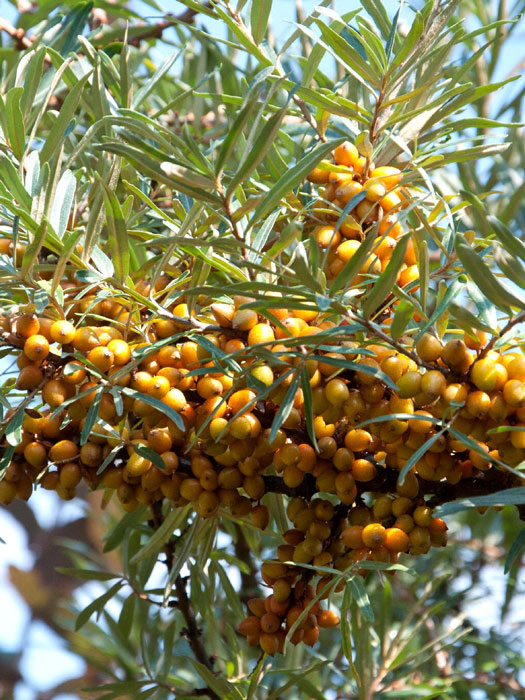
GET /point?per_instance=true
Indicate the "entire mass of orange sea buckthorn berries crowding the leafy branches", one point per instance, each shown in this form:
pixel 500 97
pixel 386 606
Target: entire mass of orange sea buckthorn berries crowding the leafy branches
pixel 181 407
